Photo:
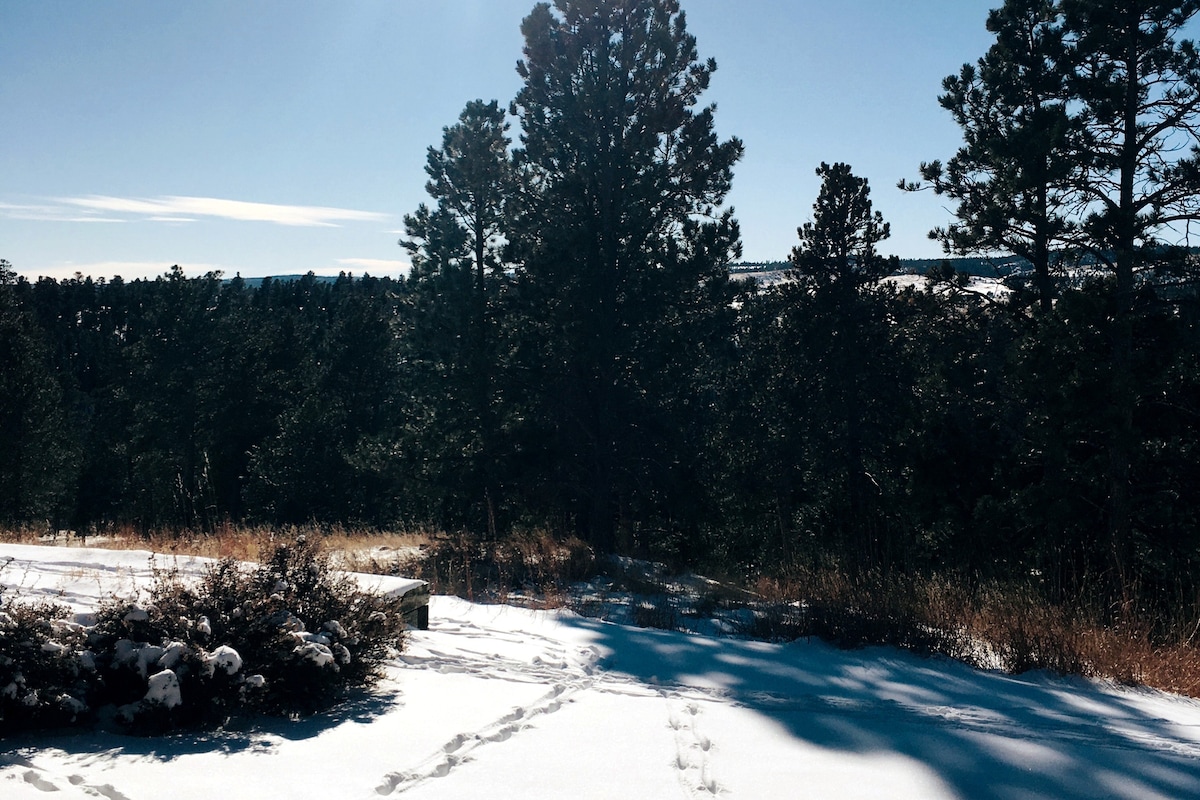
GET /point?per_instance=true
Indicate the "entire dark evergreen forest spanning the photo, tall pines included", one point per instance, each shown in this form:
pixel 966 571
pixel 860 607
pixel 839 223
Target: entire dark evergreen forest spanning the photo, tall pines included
pixel 571 354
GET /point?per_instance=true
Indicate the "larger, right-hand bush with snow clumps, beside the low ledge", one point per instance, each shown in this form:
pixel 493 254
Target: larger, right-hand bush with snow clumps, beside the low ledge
pixel 292 637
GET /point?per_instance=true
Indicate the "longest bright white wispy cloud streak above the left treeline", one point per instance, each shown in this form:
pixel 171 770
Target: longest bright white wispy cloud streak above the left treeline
pixel 184 209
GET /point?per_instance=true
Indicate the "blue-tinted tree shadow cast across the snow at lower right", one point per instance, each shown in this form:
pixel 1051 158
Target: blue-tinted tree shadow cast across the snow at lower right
pixel 985 735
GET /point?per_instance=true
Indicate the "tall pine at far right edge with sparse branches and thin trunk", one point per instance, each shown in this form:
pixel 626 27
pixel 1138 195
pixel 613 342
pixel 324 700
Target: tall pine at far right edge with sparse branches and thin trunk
pixel 1137 86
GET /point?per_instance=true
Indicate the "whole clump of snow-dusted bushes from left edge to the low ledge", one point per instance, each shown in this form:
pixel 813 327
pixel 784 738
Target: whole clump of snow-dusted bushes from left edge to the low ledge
pixel 292 637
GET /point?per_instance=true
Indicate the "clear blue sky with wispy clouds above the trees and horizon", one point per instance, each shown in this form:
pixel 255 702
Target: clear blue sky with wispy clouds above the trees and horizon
pixel 279 137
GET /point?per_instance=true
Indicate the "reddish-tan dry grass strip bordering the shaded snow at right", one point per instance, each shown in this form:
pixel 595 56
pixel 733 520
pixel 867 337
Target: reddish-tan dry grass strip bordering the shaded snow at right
pixel 995 627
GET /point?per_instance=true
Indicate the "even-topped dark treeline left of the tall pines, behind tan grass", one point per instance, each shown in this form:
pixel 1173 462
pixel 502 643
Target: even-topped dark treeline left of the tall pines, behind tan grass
pixel 187 402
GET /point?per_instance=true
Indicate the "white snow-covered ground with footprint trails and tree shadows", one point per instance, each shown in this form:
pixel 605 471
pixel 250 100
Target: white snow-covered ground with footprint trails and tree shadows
pixel 497 702
